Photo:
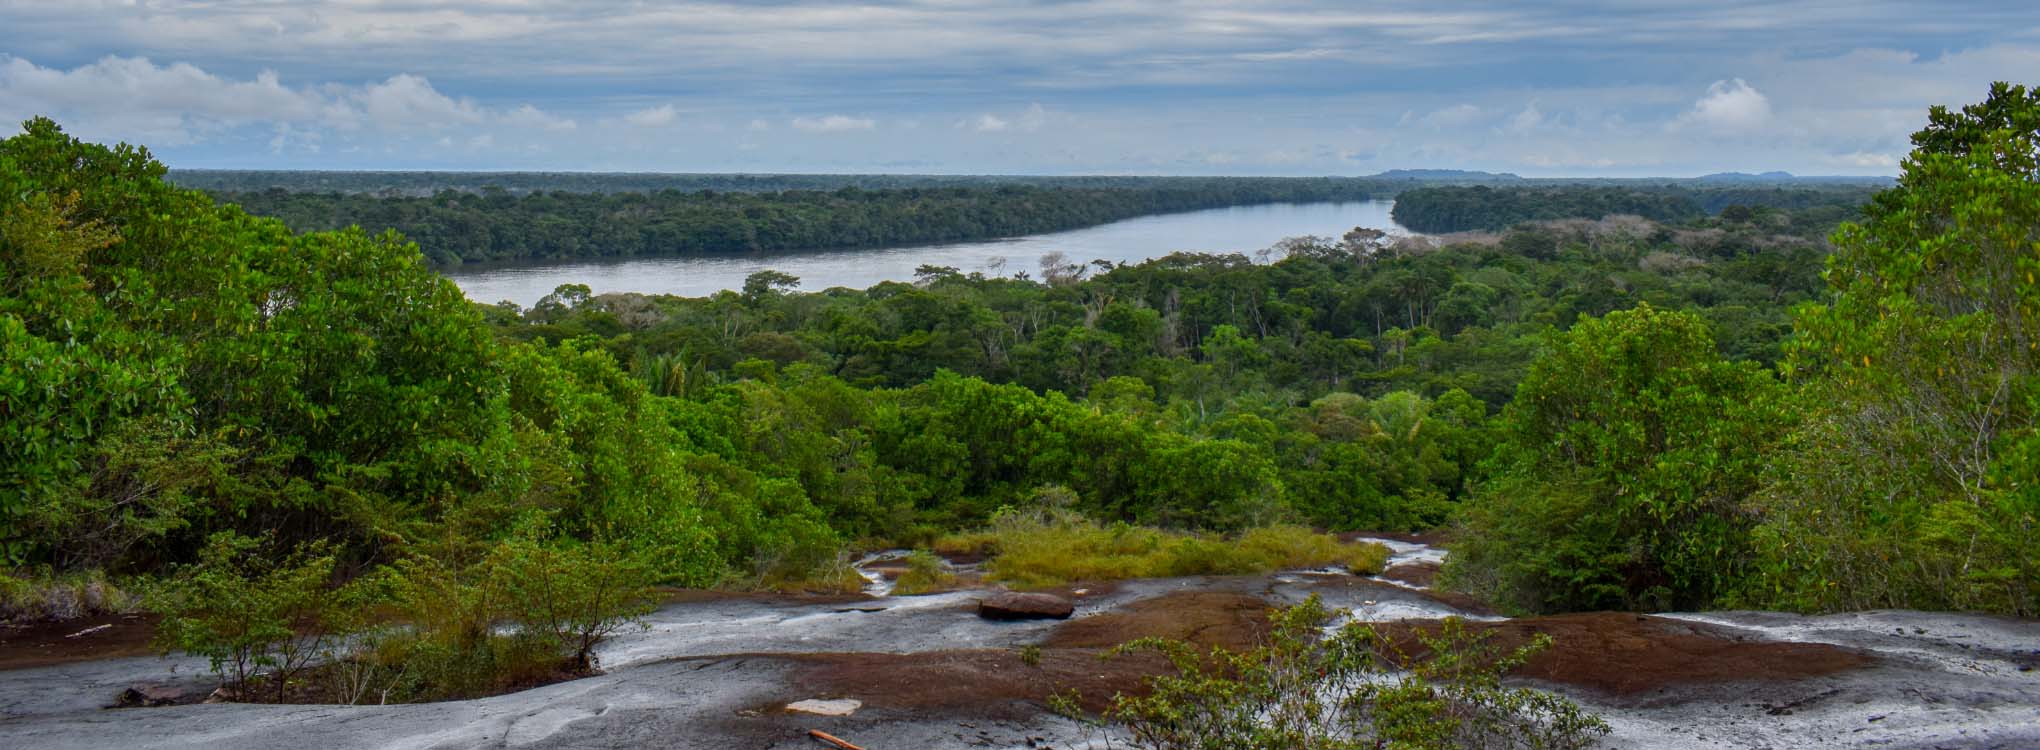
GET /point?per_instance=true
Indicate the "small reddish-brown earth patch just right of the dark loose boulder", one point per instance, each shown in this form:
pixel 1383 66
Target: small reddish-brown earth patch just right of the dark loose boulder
pixel 1207 619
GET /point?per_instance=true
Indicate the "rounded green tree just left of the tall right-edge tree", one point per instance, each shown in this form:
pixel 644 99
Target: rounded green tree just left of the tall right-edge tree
pixel 1623 474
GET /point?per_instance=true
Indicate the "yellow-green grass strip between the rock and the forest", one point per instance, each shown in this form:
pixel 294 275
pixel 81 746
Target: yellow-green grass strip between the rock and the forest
pixel 1054 549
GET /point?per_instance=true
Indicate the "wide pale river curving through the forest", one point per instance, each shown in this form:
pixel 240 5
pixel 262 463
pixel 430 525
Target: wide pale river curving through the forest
pixel 1241 229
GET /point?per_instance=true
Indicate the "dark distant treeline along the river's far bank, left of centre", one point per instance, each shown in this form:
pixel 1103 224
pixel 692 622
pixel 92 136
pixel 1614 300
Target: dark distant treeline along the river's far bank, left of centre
pixel 460 227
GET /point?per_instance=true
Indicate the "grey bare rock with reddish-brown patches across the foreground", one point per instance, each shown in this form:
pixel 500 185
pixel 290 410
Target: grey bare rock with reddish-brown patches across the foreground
pixel 929 674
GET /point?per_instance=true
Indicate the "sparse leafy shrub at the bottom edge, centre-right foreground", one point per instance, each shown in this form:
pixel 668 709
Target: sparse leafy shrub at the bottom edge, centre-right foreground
pixel 1354 688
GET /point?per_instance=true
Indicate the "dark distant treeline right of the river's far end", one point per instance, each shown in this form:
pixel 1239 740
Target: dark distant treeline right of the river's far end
pixel 1458 209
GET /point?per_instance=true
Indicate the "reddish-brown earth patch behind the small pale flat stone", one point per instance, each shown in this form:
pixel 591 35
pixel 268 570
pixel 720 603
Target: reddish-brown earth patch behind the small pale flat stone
pixel 994 684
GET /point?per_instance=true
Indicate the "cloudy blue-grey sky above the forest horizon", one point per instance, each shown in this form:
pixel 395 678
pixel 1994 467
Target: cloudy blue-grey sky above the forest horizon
pixel 1013 87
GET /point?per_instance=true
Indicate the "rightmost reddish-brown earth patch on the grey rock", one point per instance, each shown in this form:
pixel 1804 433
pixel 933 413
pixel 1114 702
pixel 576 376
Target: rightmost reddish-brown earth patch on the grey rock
pixel 1623 653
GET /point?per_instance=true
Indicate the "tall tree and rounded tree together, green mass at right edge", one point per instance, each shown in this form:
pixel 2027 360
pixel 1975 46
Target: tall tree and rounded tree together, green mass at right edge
pixel 1886 462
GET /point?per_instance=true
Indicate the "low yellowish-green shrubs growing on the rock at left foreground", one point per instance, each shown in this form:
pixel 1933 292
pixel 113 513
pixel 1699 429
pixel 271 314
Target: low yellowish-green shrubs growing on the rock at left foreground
pixel 278 629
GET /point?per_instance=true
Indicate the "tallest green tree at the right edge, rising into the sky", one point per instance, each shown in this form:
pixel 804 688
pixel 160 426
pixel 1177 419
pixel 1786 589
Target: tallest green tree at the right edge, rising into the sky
pixel 1915 482
